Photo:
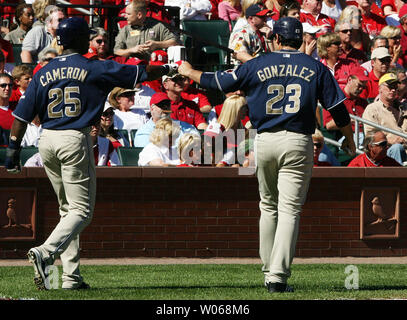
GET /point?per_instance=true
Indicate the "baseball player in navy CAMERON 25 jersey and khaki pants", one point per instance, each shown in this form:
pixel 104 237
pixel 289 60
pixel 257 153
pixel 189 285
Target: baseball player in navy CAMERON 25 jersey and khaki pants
pixel 68 95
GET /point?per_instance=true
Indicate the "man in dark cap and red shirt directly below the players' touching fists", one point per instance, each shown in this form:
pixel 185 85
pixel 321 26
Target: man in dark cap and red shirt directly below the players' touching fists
pixel 182 109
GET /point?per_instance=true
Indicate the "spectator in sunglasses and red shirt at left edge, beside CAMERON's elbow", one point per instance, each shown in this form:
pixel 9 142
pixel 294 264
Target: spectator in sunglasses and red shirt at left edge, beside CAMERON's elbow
pixel 6 86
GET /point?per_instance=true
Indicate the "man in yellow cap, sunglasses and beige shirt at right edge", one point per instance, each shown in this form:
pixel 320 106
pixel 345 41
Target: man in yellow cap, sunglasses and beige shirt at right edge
pixel 388 112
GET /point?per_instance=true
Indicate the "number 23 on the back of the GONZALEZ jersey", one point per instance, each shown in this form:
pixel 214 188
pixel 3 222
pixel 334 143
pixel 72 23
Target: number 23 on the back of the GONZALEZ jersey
pixel 294 93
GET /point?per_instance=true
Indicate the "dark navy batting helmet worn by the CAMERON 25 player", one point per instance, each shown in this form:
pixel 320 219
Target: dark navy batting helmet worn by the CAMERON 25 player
pixel 71 29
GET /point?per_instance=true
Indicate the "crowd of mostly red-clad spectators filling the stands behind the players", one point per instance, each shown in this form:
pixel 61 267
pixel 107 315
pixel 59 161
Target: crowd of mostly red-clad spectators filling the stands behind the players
pixel 174 122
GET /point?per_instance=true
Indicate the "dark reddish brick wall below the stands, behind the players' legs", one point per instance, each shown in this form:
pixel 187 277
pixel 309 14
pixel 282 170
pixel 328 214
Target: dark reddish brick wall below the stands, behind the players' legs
pixel 210 212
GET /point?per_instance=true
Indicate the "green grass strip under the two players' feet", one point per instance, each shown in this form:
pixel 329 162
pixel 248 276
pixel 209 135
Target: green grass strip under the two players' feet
pixel 212 282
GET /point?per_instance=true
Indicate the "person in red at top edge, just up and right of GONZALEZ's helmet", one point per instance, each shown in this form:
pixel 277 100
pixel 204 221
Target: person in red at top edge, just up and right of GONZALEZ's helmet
pixel 311 13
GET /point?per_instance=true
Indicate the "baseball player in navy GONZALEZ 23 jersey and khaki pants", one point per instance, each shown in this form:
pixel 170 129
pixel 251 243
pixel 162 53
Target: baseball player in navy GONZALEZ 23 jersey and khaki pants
pixel 282 90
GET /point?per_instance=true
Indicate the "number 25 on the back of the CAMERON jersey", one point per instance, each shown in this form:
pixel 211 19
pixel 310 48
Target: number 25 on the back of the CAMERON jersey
pixel 72 104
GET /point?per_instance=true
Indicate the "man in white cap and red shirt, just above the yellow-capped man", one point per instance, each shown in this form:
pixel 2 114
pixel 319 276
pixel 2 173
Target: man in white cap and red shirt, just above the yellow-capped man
pixel 381 60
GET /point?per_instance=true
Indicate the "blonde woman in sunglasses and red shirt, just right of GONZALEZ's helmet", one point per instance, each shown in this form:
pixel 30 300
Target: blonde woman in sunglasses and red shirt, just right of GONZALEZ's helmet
pixel 329 49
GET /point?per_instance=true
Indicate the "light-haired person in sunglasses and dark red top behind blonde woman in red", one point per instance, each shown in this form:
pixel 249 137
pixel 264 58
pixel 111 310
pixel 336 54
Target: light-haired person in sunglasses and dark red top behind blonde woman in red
pixel 344 29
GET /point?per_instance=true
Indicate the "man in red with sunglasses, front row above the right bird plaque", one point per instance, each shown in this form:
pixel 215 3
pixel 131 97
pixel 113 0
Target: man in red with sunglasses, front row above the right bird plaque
pixel 375 146
